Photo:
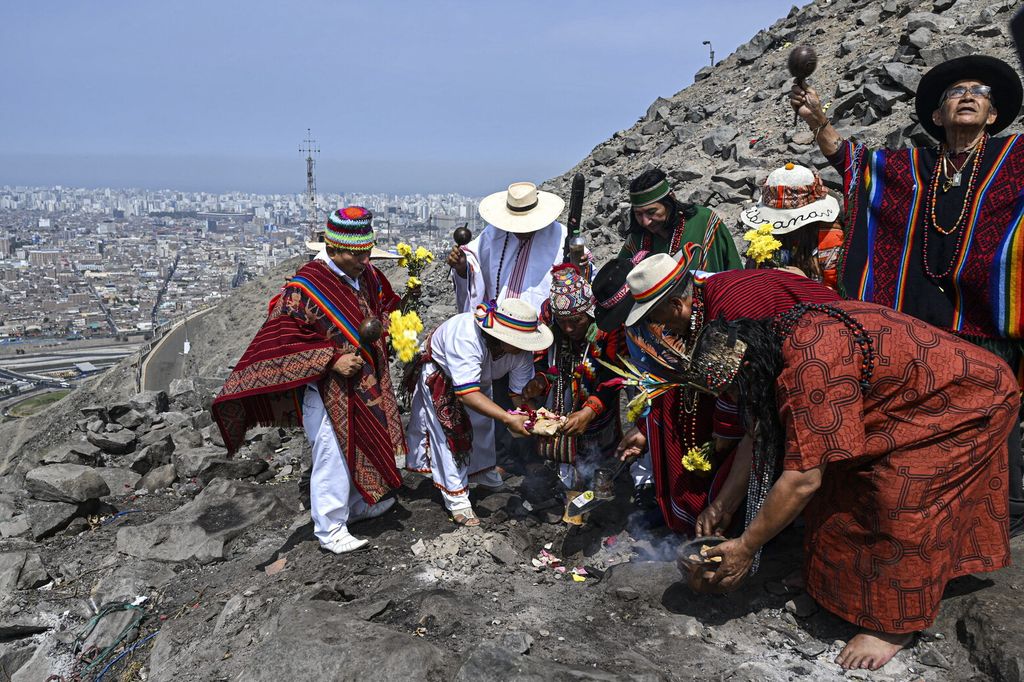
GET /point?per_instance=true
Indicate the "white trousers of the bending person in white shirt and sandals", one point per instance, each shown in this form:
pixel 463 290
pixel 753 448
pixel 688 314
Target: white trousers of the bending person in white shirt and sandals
pixel 429 449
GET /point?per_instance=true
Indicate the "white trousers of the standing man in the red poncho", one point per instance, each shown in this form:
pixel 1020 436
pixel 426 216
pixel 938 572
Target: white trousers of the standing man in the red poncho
pixel 332 497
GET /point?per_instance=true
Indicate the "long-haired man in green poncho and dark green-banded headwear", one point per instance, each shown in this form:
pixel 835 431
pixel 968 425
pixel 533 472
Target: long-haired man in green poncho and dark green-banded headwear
pixel 661 224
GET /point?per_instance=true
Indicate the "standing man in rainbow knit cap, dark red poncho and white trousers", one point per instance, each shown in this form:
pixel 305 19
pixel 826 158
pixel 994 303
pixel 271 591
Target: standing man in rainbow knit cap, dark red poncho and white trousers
pixel 315 351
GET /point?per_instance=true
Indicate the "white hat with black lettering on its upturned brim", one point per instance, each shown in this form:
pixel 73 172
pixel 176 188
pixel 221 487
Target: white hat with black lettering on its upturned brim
pixel 791 198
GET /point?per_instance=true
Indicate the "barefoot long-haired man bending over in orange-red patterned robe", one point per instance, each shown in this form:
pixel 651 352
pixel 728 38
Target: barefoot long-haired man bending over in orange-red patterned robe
pixel 891 439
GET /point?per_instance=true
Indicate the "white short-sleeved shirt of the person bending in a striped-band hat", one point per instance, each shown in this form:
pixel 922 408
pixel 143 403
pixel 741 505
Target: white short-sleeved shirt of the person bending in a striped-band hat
pixel 458 348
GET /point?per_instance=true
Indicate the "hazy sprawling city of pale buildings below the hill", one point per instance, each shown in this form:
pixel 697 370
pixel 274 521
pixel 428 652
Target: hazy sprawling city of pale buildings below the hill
pixel 108 269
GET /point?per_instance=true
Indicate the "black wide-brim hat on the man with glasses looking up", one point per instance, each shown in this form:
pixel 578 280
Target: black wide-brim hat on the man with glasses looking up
pixel 997 74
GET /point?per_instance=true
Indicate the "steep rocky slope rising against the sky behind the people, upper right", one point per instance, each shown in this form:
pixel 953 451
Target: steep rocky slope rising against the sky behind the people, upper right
pixel 718 139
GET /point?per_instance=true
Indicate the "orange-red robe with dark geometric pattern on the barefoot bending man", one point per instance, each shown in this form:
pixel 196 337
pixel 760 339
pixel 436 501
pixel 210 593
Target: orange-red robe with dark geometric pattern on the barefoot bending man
pixel 916 489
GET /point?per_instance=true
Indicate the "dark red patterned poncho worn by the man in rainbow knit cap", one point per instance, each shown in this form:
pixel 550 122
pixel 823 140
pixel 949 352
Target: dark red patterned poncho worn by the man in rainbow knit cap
pixel 314 322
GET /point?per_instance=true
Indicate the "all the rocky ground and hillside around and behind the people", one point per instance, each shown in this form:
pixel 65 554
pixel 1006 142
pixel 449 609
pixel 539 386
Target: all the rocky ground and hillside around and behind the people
pixel 134 548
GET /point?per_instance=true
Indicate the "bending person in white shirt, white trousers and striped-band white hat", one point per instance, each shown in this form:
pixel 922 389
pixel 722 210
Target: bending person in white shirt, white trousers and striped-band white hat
pixel 453 414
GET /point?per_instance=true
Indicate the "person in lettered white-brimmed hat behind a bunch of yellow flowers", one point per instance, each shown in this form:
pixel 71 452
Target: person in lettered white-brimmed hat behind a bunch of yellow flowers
pixel 803 219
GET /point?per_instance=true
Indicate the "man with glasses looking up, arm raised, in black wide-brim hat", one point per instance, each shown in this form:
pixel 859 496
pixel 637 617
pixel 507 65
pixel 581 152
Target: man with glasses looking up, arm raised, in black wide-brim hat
pixel 938 233
